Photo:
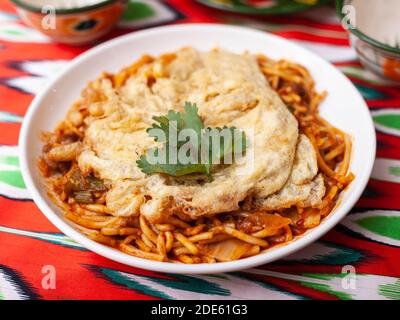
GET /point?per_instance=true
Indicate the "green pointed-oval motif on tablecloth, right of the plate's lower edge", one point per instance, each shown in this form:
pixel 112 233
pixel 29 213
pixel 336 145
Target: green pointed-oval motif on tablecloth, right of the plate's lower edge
pixel 382 225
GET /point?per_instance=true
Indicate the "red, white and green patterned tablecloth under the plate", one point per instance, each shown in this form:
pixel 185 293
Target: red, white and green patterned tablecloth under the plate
pixel 366 242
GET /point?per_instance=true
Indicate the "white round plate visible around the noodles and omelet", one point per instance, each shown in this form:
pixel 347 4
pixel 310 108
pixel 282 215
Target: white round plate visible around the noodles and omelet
pixel 344 108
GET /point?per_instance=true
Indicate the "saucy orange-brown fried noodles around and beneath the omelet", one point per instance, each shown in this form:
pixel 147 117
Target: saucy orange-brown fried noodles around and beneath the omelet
pixel 227 237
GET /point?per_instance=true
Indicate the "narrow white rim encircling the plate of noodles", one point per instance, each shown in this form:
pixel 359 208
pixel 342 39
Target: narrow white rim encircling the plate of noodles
pixel 126 259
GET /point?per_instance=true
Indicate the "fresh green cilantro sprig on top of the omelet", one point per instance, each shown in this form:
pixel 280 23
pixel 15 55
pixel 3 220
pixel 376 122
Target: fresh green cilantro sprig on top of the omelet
pixel 188 147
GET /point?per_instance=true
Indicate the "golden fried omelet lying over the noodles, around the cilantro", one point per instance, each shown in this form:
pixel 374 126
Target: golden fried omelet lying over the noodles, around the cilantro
pixel 229 90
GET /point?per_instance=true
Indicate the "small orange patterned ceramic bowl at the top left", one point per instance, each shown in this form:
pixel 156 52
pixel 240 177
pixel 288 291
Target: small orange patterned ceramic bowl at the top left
pixel 79 24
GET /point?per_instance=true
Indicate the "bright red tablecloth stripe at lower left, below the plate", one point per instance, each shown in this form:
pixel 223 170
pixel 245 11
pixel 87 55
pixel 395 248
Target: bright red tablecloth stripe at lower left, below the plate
pixel 74 280
